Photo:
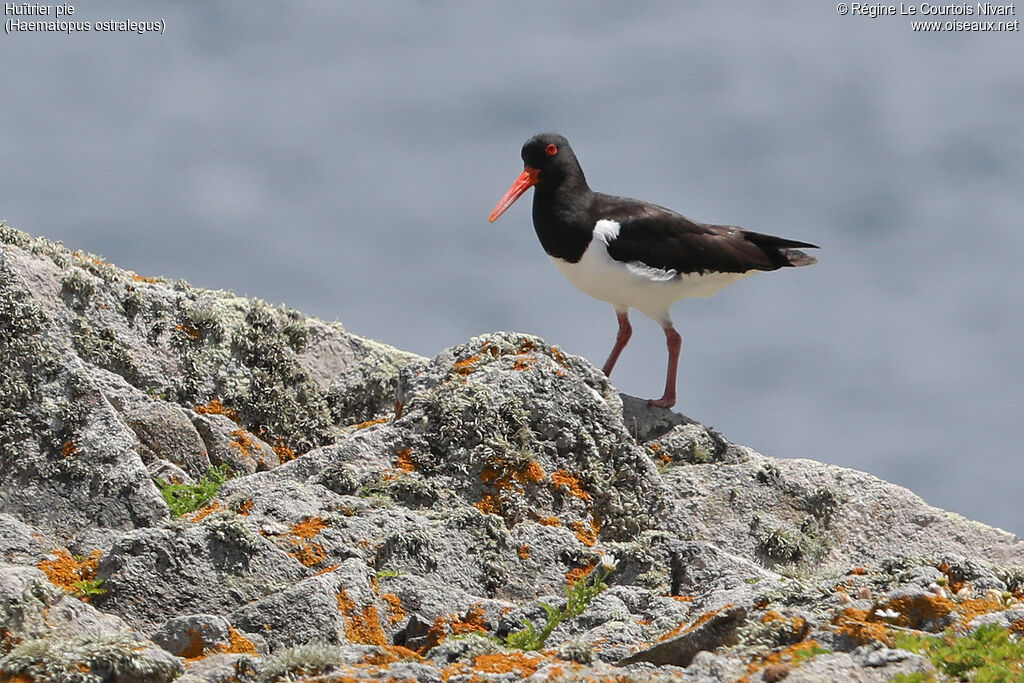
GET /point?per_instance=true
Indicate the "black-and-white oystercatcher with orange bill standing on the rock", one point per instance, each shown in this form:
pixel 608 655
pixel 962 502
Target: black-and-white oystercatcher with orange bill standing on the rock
pixel 634 254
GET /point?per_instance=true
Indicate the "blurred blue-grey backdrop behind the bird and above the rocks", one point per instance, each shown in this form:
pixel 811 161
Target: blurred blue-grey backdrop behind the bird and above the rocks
pixel 343 158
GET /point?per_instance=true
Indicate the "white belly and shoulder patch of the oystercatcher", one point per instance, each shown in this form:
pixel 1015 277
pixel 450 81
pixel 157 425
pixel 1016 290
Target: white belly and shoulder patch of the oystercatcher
pixel 651 291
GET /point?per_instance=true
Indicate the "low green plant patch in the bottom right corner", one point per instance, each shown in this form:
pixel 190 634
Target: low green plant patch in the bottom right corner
pixel 990 655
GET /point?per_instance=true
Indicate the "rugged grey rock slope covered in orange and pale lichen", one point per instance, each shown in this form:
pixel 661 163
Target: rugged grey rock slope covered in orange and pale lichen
pixel 498 513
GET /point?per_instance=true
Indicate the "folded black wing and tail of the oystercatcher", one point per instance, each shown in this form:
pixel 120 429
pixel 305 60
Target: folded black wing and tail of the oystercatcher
pixel 663 239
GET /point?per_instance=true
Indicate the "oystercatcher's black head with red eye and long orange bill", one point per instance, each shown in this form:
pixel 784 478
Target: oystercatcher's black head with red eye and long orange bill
pixel 549 164
